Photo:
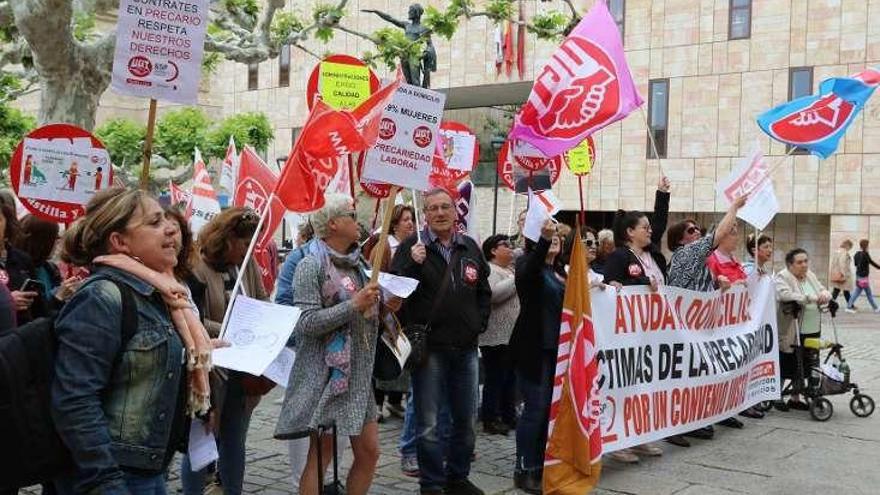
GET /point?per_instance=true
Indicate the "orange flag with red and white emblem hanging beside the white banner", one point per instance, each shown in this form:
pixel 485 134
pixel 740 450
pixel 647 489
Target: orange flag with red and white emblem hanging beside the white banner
pixel 574 441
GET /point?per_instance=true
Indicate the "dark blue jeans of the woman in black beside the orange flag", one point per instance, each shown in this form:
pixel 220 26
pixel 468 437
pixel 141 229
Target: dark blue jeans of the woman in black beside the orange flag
pixel 531 430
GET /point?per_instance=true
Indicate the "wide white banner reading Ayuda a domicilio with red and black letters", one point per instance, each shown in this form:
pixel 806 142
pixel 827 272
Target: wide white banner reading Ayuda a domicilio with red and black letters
pixel 676 360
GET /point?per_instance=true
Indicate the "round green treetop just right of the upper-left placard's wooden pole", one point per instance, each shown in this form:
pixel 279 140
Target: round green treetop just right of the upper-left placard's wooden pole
pixel 179 132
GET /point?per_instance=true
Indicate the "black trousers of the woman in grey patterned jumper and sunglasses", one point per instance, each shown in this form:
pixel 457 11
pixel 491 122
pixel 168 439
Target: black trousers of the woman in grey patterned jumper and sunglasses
pixel 499 385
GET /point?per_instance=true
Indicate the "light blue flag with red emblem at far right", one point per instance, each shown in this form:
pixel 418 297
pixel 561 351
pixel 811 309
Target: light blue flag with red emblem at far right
pixel 817 122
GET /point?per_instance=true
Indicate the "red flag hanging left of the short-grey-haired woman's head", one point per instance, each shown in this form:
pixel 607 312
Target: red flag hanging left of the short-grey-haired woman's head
pixel 255 183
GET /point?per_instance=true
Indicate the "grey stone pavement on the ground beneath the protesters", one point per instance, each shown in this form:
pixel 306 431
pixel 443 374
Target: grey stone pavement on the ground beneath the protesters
pixel 785 453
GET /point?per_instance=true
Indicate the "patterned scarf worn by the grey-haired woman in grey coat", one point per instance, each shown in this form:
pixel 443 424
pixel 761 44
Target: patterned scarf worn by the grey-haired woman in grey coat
pixel 335 289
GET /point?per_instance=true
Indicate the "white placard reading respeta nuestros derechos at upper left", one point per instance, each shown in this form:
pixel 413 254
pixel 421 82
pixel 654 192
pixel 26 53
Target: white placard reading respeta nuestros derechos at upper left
pixel 159 48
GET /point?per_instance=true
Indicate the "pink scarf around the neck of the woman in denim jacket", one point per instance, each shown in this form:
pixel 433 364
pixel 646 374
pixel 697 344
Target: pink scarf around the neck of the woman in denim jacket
pixel 196 341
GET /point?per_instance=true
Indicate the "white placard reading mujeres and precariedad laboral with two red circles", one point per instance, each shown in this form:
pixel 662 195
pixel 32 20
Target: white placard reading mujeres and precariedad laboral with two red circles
pixel 407 137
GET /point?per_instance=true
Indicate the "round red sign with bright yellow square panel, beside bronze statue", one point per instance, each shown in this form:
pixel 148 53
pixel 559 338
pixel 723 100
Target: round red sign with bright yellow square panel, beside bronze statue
pixel 343 81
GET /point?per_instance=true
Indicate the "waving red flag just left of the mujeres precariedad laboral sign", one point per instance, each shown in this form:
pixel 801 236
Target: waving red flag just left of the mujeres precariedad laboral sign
pixel 328 134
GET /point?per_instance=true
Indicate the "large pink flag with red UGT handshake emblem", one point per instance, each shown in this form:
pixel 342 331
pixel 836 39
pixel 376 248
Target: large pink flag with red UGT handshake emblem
pixel 584 87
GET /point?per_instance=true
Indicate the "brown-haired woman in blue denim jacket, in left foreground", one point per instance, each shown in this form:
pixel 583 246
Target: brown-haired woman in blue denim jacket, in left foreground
pixel 119 407
